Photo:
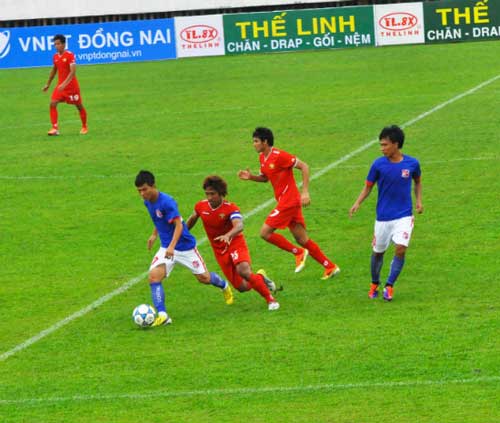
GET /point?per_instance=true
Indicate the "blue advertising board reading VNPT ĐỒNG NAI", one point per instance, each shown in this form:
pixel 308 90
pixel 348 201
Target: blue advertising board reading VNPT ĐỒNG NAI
pixel 127 41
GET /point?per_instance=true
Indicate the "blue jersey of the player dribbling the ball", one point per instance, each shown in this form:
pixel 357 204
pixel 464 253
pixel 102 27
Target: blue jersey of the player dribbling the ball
pixel 163 212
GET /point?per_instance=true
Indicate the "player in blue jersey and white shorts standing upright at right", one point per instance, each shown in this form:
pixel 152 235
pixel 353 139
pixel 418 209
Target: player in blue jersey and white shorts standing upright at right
pixel 393 175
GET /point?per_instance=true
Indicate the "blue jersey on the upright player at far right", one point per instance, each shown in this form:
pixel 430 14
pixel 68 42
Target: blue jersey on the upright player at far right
pixel 394 186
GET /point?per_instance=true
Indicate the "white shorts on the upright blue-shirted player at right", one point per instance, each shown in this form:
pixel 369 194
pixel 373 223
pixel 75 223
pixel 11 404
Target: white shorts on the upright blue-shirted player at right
pixel 398 231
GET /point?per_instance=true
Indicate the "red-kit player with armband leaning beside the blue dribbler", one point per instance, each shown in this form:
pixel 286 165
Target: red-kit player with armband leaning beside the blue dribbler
pixel 223 224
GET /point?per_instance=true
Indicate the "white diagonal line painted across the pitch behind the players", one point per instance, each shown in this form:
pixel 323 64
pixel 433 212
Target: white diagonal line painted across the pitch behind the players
pixel 252 212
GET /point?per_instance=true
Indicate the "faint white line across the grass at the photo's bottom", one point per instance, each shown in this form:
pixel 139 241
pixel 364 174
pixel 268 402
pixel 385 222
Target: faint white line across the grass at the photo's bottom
pixel 246 391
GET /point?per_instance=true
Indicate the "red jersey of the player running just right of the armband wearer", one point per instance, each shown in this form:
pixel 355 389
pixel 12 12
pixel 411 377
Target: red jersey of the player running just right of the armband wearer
pixel 278 168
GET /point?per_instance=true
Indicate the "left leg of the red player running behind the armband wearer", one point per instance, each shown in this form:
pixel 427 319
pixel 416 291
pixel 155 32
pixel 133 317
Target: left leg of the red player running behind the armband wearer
pixel 280 219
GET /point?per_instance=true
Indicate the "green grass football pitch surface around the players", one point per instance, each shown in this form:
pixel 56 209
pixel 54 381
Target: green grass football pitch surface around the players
pixel 73 228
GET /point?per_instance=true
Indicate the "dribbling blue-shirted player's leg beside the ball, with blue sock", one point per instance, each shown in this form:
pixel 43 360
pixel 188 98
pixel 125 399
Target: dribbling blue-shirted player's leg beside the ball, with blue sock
pixel 159 270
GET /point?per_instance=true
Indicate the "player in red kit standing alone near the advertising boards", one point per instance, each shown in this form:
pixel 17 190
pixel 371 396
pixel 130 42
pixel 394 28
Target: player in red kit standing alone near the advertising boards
pixel 67 89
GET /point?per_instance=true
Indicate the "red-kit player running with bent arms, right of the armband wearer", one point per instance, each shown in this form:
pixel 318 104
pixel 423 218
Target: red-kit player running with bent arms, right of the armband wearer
pixel 277 167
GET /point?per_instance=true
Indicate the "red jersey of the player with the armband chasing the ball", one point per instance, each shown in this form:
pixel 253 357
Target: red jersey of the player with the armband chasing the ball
pixel 217 221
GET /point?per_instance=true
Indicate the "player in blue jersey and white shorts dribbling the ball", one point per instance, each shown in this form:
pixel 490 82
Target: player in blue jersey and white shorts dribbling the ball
pixel 177 246
